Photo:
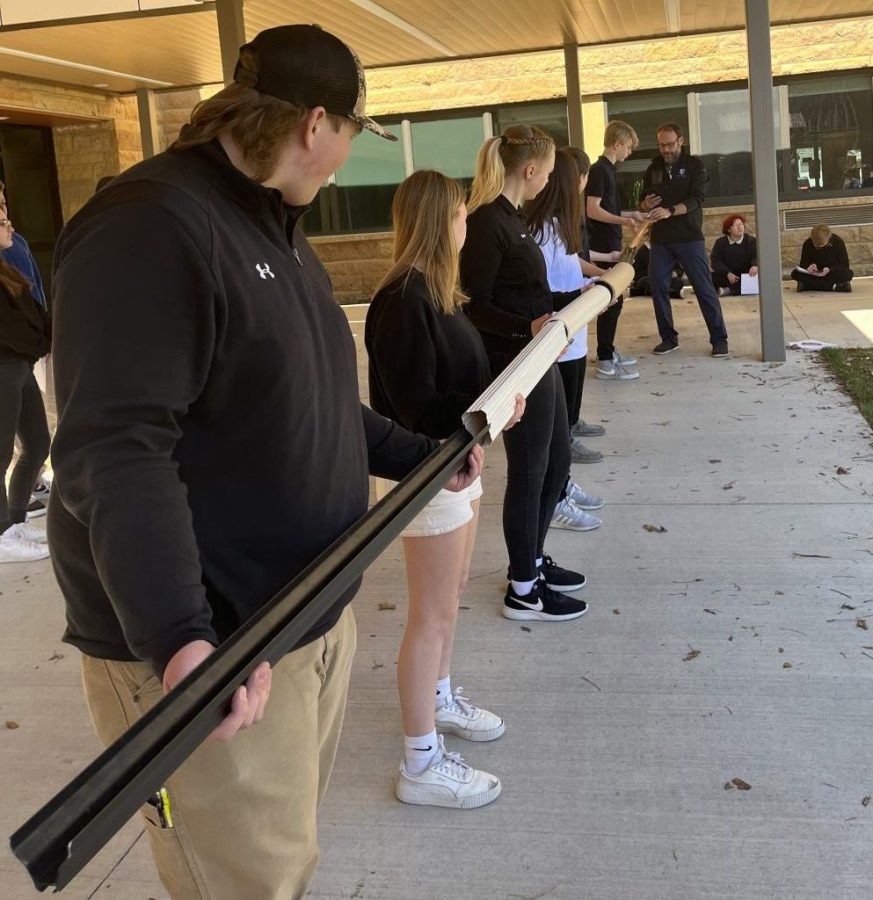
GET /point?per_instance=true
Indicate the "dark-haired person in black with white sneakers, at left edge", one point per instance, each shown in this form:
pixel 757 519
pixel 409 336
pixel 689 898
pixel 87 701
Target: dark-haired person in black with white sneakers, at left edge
pixel 25 337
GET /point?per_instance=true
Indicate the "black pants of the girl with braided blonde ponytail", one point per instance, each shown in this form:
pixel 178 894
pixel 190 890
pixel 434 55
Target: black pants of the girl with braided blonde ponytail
pixel 537 463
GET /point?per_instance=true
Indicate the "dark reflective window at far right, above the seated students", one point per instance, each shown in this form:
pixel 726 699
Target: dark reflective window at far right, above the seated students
pixel 831 133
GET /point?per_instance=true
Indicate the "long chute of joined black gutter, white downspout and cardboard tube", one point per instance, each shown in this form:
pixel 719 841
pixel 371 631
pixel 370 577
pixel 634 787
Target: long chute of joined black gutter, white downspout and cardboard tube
pixel 62 837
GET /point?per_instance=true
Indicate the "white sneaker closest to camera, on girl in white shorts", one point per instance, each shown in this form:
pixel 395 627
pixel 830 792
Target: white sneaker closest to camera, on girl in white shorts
pixel 447 781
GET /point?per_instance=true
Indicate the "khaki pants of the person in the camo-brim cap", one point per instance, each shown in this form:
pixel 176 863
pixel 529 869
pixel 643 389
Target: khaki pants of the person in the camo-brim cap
pixel 244 811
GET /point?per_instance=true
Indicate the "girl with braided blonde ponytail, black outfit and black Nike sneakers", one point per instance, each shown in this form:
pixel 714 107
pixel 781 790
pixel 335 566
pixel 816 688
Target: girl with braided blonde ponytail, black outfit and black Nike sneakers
pixel 504 275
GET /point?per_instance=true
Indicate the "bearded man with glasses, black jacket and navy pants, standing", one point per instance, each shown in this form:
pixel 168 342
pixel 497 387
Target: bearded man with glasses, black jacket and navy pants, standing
pixel 673 193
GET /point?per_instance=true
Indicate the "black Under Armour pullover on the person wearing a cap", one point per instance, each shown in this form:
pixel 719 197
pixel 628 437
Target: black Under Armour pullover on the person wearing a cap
pixel 211 441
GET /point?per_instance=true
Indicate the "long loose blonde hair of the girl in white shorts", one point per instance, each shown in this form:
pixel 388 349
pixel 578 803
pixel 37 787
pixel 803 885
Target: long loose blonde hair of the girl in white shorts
pixel 423 209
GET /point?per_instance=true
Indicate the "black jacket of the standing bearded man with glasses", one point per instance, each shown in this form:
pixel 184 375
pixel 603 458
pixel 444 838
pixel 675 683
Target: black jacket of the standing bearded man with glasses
pixel 683 182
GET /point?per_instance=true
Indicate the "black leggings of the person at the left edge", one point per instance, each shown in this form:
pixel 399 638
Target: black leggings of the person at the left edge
pixel 22 414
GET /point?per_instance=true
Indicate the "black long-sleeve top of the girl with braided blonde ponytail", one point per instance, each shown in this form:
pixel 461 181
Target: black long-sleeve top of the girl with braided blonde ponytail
pixel 503 272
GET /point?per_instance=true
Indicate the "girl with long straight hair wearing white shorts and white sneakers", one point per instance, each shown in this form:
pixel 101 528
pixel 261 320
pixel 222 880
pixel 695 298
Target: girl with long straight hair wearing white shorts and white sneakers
pixel 427 365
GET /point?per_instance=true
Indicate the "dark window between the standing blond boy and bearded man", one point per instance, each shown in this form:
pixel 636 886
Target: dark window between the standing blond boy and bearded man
pixel 644 112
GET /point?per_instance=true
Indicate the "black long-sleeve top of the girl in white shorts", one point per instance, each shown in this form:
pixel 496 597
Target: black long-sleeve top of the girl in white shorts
pixel 426 367
